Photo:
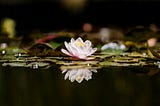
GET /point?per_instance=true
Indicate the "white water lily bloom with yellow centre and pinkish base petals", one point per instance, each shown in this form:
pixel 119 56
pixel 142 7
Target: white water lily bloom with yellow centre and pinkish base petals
pixel 79 49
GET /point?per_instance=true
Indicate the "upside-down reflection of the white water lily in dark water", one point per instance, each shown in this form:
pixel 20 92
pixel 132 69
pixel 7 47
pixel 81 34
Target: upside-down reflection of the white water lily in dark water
pixel 78 74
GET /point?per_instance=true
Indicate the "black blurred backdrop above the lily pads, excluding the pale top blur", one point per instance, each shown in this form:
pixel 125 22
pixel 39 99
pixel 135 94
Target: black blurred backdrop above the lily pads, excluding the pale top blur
pixel 50 15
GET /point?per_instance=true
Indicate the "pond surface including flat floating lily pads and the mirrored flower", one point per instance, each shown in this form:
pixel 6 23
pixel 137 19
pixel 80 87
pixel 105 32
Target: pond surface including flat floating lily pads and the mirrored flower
pixel 110 79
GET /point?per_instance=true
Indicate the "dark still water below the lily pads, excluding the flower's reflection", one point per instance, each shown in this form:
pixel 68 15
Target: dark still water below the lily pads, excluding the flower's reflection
pixel 109 86
